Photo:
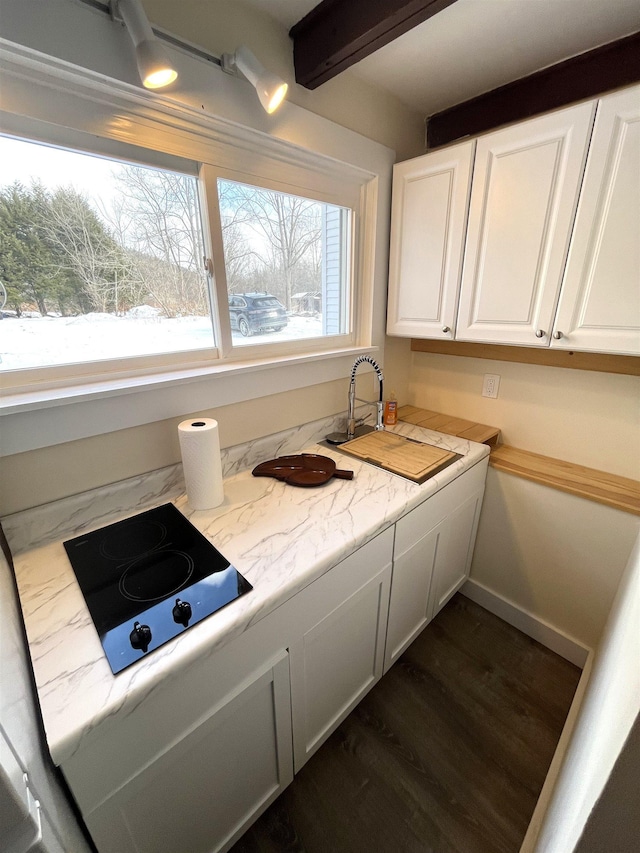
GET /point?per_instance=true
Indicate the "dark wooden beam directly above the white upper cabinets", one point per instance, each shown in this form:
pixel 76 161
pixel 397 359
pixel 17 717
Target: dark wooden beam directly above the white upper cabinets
pixel 588 75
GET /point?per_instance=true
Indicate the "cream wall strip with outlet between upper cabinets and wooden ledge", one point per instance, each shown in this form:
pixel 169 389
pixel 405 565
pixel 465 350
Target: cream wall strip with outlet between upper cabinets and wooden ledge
pixel 580 416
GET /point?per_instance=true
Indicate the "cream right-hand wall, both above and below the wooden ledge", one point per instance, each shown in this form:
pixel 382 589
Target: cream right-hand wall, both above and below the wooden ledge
pixel 554 557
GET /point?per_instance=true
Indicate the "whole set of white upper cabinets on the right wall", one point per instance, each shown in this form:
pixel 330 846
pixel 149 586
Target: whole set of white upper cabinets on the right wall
pixel 552 221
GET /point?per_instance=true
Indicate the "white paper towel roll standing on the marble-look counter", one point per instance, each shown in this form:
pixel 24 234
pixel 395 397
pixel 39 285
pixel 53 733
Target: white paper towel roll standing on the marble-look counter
pixel 200 450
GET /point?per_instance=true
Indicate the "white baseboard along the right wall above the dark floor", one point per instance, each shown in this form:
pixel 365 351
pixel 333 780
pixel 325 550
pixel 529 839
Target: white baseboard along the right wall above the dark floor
pixel 554 639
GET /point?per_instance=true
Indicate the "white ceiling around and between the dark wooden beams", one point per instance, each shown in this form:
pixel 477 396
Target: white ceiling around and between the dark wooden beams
pixel 474 46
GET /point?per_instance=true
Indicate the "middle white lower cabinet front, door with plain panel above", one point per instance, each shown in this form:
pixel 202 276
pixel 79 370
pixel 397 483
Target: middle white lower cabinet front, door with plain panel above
pixel 339 654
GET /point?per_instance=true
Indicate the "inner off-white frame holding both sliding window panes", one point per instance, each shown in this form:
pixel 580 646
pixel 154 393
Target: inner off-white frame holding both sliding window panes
pixel 223 349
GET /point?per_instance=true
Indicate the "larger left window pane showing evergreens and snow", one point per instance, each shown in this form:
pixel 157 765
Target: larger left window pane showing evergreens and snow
pixel 99 259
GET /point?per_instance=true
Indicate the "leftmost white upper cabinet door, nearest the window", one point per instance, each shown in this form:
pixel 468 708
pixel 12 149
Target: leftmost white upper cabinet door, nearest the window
pixel 428 221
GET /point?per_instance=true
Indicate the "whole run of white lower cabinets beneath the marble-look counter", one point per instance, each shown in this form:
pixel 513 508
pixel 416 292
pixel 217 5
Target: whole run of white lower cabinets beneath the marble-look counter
pixel 201 757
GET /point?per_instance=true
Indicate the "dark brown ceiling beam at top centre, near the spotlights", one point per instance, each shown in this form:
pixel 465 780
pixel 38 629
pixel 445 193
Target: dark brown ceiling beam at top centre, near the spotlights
pixel 338 33
